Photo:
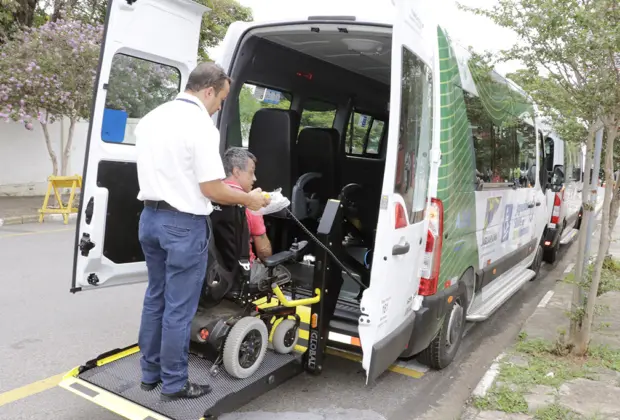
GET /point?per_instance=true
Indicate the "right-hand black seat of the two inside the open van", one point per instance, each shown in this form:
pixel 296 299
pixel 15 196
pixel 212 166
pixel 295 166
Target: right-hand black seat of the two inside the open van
pixel 318 171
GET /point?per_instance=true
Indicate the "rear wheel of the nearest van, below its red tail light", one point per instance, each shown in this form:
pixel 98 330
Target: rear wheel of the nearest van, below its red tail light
pixel 442 350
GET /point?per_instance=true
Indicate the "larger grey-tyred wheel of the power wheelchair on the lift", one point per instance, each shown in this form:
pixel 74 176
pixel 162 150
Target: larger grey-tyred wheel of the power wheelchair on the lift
pixel 247 328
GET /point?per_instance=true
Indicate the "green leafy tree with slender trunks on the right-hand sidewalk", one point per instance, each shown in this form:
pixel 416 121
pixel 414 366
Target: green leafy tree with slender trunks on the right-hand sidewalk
pixel 574 43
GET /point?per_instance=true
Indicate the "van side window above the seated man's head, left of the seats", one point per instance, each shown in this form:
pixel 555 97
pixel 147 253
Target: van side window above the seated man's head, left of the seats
pixel 255 97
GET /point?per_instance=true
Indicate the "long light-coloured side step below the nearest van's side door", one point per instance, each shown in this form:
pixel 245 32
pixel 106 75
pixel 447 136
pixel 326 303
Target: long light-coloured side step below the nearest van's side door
pixel 497 293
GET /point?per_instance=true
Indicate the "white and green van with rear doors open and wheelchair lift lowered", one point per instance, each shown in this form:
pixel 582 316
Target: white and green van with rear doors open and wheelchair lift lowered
pixel 431 211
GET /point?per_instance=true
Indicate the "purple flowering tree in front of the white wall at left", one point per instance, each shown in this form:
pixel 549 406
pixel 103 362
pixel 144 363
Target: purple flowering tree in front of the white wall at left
pixel 48 73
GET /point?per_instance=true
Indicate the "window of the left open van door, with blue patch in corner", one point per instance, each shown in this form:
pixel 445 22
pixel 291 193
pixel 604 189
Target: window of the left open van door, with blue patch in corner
pixel 135 87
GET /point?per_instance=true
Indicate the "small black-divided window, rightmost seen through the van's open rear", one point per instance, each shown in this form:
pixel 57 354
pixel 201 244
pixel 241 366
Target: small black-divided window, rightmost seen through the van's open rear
pixel 364 136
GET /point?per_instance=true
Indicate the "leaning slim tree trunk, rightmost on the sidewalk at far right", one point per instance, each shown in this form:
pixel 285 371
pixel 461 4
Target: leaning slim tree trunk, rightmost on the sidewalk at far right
pixel 584 337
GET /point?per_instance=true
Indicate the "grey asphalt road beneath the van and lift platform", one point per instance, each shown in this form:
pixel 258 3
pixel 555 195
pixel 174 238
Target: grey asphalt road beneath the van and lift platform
pixel 46 331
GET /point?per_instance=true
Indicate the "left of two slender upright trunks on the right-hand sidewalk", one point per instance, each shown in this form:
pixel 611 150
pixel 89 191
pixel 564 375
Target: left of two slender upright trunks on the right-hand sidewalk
pixel 578 295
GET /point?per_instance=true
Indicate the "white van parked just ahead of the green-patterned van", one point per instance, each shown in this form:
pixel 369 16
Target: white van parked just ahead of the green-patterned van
pixel 563 163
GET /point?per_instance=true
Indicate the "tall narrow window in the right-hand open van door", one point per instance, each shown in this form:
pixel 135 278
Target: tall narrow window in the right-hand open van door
pixel 415 134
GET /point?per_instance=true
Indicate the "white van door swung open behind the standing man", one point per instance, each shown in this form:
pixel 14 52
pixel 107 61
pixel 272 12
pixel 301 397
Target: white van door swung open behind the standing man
pixel 149 48
